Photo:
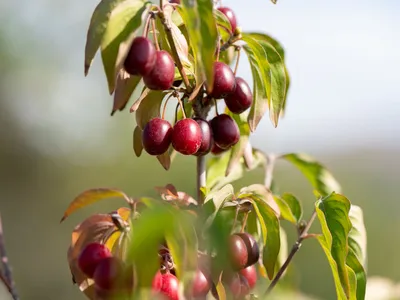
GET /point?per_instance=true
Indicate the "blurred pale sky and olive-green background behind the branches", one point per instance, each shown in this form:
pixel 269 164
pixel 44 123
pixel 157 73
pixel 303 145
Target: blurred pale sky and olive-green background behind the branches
pixel 57 137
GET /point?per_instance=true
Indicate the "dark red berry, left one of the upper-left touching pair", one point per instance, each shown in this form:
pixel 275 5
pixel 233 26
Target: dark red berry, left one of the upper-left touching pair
pixel 141 57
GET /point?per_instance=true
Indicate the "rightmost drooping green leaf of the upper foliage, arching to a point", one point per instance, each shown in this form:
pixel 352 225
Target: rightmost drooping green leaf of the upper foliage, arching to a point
pixel 277 75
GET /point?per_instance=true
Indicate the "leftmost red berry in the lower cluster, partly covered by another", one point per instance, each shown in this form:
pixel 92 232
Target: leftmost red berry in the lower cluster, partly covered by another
pixel 91 256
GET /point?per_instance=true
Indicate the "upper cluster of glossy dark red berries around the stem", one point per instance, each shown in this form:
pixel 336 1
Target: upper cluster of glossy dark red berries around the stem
pixel 189 136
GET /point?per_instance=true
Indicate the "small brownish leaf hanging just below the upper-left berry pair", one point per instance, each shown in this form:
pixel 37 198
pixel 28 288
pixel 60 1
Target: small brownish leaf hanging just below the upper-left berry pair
pixel 124 88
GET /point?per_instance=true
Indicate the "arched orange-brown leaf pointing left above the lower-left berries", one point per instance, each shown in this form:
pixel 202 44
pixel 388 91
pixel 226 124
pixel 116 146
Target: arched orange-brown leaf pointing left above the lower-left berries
pixel 91 196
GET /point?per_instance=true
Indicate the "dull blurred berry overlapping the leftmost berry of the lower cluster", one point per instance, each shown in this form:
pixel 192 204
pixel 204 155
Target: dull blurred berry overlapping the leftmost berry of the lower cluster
pixel 109 273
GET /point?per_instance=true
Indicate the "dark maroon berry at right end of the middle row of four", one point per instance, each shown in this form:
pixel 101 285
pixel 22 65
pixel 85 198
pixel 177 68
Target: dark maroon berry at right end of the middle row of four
pixel 225 131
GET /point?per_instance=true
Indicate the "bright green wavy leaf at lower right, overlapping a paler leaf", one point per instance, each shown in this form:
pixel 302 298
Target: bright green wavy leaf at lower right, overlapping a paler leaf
pixel 332 212
